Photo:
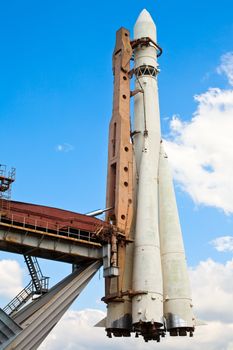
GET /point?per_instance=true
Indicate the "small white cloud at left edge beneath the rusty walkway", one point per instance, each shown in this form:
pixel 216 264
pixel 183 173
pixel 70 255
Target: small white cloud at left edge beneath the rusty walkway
pixel 11 277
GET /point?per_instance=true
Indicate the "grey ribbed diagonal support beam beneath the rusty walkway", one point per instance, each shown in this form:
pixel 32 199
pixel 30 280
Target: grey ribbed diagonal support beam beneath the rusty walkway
pixel 45 315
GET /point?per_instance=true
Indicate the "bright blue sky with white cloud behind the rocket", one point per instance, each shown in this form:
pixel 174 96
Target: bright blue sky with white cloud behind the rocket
pixel 56 102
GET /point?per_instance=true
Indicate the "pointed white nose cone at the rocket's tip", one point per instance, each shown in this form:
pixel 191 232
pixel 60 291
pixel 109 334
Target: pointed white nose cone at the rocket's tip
pixel 145 26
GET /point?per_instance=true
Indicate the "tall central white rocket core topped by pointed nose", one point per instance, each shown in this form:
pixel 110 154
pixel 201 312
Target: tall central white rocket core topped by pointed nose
pixel 147 303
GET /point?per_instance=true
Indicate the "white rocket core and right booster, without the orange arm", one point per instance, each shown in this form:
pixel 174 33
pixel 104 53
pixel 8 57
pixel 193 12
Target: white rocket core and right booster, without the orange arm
pixel 160 277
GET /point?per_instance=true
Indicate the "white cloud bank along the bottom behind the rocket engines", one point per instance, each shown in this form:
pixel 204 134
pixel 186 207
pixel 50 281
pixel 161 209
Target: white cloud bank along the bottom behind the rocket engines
pixel 75 332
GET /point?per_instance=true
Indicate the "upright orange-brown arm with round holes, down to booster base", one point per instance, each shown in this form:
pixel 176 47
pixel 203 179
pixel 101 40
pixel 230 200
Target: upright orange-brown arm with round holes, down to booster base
pixel 120 194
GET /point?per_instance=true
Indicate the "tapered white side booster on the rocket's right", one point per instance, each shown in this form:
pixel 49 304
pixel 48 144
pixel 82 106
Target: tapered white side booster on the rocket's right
pixel 177 295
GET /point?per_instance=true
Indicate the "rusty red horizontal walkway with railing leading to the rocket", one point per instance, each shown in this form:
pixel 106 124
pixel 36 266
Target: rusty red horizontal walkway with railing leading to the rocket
pixel 51 233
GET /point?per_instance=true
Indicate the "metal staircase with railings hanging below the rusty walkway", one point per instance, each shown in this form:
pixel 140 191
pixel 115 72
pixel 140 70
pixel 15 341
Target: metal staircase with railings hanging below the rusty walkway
pixel 38 285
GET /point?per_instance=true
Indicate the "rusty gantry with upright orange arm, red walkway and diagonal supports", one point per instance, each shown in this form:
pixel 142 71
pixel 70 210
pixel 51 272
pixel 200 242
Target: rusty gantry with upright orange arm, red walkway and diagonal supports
pixel 83 241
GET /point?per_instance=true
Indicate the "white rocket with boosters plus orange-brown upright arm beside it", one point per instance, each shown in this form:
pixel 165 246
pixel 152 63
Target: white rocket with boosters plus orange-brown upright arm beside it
pixel 147 287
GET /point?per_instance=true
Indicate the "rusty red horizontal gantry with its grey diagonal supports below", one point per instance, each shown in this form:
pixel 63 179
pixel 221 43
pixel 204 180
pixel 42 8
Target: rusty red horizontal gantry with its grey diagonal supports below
pixel 55 234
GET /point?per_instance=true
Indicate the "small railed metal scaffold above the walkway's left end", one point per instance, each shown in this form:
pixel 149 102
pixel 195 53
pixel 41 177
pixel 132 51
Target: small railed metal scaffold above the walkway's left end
pixel 6 180
